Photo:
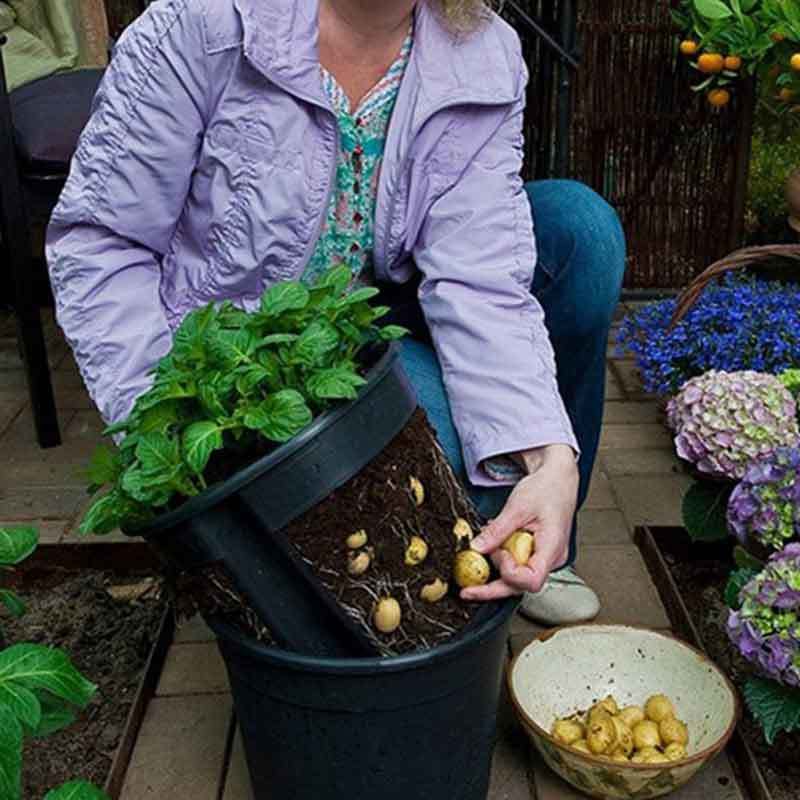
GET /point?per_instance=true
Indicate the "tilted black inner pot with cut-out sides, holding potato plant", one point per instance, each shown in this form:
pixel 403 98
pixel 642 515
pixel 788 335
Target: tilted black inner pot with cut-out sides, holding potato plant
pixel 237 523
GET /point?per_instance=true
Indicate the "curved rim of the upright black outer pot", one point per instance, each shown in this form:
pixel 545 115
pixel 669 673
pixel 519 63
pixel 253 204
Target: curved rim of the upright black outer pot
pixel 362 666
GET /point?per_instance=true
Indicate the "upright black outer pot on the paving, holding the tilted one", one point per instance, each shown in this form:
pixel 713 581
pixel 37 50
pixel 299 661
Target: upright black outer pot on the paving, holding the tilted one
pixel 414 727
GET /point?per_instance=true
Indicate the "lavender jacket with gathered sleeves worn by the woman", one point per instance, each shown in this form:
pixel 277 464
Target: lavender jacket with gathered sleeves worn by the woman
pixel 204 172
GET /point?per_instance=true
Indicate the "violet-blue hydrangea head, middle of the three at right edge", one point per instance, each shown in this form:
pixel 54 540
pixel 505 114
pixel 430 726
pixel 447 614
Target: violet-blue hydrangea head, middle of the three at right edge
pixel 765 506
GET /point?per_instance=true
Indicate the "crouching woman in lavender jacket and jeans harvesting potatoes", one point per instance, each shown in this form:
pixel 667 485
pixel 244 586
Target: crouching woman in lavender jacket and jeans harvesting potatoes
pixel 236 143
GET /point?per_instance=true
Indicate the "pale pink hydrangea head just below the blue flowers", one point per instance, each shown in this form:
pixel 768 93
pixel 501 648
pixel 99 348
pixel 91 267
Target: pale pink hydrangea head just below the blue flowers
pixel 725 422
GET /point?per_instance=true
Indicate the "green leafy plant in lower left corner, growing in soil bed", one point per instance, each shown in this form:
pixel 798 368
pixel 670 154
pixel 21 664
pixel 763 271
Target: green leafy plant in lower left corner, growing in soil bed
pixel 40 689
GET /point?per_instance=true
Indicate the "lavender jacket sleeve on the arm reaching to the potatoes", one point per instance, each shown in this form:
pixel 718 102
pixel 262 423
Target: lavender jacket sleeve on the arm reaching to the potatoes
pixel 477 256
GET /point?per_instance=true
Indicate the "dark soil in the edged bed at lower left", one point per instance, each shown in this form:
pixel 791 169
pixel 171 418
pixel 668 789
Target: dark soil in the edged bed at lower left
pixel 109 641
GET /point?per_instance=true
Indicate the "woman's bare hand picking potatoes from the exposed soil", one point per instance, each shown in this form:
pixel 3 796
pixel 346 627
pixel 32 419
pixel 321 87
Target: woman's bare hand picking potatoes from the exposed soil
pixel 544 503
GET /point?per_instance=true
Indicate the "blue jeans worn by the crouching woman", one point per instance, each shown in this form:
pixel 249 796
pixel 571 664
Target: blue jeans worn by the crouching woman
pixel 577 280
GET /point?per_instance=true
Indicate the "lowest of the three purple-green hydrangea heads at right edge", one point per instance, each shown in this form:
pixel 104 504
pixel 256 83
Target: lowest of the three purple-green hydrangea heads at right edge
pixel 766 629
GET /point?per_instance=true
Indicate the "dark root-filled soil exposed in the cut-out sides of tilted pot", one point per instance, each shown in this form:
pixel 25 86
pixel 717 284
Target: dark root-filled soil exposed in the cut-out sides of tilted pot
pixel 380 502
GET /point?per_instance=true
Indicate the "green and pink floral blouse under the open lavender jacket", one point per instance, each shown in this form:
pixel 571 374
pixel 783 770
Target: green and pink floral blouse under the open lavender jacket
pixel 348 231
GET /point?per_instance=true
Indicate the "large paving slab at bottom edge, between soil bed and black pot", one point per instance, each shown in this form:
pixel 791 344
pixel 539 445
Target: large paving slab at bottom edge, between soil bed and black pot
pixel 181 748
